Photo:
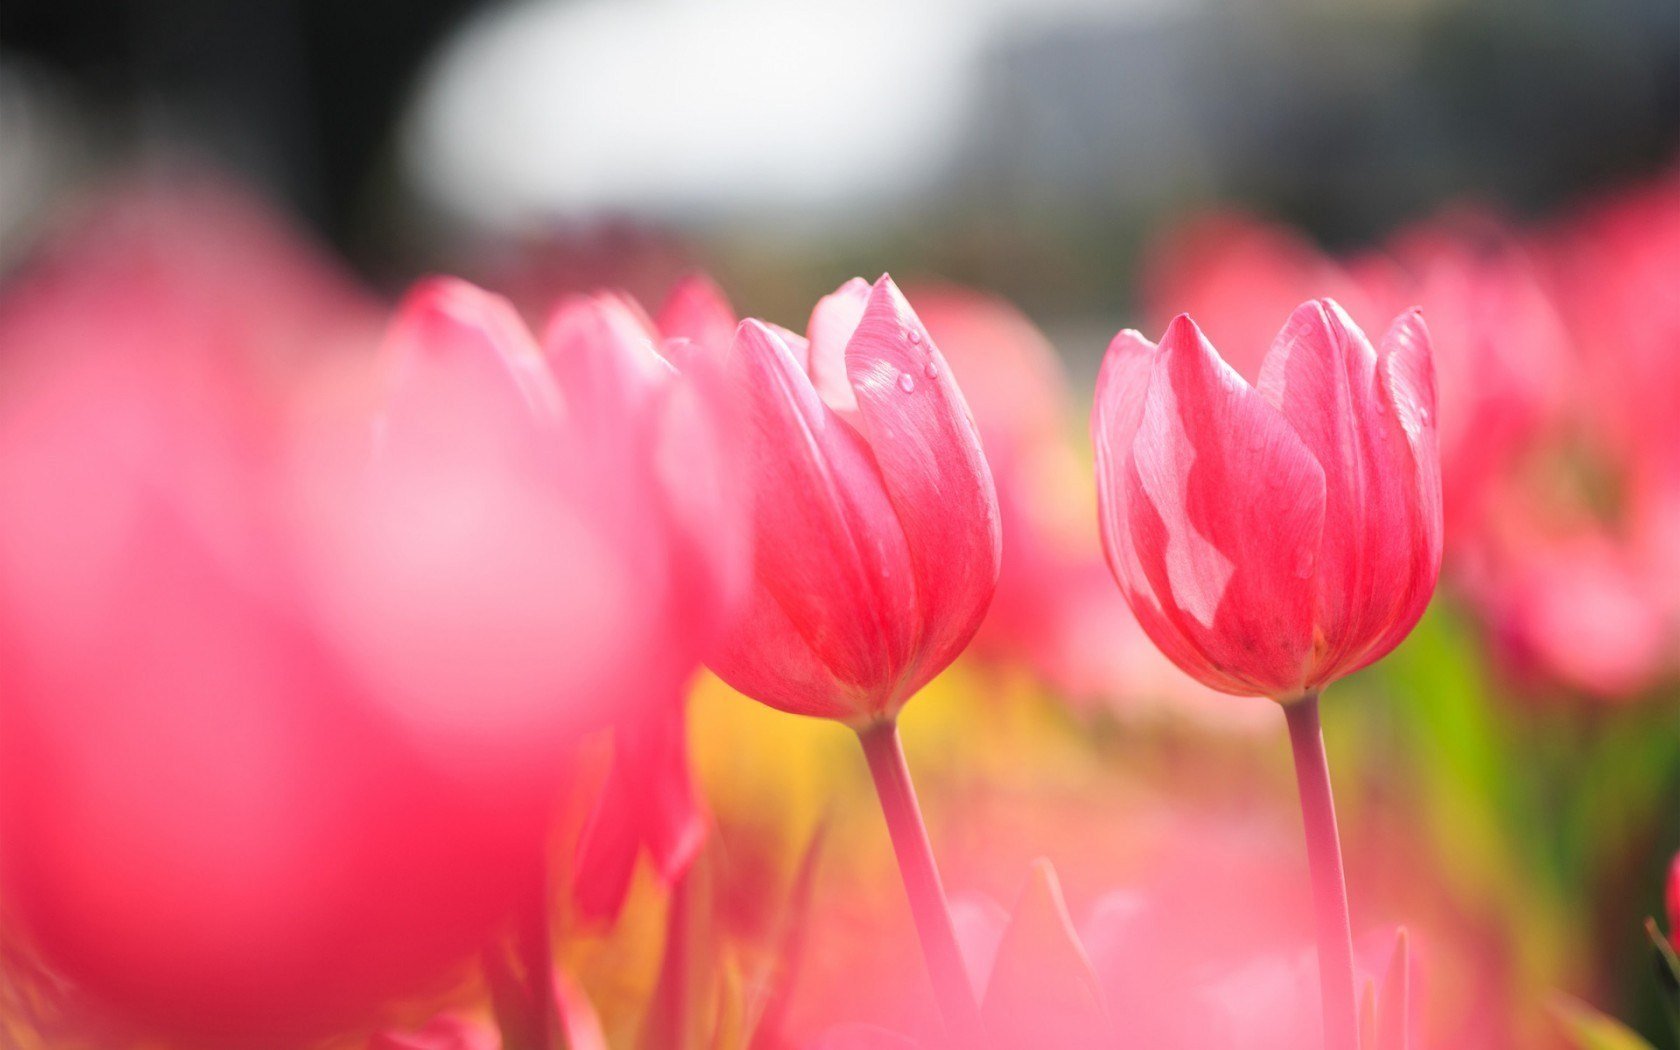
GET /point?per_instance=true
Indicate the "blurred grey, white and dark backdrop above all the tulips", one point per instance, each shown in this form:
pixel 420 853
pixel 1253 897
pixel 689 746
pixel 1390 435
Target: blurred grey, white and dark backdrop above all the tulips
pixel 1027 147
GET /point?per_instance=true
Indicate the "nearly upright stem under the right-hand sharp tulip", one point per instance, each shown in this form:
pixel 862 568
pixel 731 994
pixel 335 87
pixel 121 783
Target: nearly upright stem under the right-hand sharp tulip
pixel 1330 886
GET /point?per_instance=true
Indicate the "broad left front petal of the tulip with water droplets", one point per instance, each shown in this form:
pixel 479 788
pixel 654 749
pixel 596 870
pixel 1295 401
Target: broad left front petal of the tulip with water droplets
pixel 836 587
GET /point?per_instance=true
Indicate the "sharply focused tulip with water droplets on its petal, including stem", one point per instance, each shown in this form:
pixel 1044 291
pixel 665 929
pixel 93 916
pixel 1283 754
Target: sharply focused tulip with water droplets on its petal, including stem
pixel 876 549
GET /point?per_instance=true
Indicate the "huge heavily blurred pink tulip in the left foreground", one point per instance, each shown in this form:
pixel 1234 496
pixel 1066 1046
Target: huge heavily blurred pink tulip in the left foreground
pixel 209 826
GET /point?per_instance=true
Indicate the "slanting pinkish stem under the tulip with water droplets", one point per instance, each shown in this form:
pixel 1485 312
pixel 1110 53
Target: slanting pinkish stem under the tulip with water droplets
pixel 921 881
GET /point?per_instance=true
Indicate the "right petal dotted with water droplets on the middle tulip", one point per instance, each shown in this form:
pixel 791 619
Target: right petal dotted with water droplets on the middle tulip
pixel 935 473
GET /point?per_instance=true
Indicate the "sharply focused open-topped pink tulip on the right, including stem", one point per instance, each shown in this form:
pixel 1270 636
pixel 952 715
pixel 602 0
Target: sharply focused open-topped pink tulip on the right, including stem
pixel 1276 538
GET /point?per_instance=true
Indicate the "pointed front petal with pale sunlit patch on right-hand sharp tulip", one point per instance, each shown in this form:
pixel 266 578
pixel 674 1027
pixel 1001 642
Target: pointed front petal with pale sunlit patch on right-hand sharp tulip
pixel 1227 515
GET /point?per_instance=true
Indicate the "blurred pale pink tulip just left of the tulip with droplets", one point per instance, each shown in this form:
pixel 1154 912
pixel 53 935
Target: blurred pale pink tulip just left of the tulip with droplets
pixel 570 584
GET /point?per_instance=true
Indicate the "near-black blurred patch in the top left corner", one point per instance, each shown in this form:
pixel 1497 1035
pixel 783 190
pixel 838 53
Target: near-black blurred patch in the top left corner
pixel 298 95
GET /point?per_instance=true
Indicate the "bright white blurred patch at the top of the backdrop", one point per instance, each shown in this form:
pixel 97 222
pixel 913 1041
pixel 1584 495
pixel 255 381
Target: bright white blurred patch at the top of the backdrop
pixel 695 110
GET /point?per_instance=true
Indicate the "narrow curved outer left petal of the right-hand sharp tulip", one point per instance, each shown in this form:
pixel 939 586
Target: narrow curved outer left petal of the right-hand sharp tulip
pixel 1120 406
